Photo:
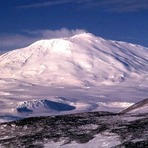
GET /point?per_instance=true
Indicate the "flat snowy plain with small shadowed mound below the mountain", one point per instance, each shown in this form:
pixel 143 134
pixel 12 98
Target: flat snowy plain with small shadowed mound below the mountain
pixel 26 101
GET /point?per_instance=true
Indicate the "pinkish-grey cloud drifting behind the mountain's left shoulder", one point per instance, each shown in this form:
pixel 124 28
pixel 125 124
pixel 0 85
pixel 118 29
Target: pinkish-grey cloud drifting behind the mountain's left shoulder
pixel 13 41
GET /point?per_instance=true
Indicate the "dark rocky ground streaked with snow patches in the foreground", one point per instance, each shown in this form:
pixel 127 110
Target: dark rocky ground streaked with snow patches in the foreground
pixel 36 131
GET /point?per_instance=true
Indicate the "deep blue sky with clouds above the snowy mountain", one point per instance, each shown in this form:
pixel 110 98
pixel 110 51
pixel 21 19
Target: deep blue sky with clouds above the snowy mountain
pixel 23 22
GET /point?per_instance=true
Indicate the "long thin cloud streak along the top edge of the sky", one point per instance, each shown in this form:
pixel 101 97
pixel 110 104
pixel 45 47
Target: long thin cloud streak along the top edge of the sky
pixel 106 5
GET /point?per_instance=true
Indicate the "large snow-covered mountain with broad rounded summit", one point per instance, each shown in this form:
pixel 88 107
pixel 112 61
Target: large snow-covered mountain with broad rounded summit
pixel 79 60
